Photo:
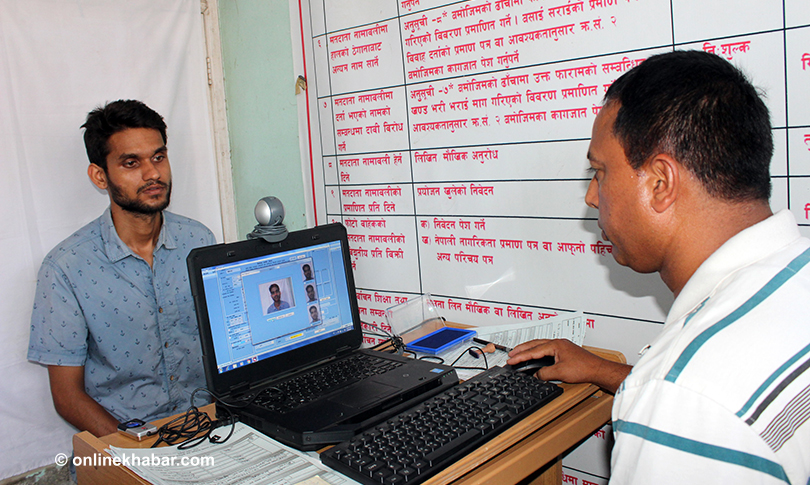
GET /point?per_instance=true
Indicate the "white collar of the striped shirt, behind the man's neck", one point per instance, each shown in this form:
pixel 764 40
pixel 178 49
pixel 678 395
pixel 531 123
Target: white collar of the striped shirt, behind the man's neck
pixel 746 247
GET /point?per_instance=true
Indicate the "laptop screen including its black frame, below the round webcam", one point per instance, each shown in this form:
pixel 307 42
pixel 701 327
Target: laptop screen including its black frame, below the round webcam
pixel 267 309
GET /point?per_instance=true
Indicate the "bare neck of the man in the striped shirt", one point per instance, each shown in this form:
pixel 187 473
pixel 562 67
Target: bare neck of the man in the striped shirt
pixel 703 232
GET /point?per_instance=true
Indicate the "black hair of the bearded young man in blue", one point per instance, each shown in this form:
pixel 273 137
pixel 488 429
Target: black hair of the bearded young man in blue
pixel 105 121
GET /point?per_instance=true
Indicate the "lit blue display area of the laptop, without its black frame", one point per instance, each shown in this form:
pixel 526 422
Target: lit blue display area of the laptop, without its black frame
pixel 265 306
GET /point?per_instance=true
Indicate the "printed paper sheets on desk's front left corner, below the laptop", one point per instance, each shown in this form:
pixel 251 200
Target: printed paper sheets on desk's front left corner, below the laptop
pixel 247 458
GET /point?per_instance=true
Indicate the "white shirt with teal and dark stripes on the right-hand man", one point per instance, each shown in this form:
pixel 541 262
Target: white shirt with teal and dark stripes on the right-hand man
pixel 723 394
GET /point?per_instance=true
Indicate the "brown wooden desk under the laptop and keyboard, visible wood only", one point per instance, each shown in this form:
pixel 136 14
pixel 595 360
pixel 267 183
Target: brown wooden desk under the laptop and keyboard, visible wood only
pixel 531 448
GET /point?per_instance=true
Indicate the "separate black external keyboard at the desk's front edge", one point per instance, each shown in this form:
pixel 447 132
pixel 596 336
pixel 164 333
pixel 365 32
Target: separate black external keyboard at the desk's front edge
pixel 417 444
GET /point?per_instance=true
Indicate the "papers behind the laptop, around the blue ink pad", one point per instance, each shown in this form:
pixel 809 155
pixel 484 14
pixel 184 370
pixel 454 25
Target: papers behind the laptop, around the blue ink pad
pixel 571 326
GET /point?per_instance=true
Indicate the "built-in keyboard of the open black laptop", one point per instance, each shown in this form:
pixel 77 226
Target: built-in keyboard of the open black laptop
pixel 309 386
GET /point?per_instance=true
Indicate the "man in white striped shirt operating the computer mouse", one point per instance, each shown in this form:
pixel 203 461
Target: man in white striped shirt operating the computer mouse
pixel 680 155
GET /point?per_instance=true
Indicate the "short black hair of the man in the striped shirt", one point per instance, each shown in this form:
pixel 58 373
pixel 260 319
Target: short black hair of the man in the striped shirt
pixel 703 112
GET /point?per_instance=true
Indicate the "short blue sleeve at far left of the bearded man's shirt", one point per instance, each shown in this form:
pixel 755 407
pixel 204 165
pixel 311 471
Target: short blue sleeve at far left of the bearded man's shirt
pixel 58 328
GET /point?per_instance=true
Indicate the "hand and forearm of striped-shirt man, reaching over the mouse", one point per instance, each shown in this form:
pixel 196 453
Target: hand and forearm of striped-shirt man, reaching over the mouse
pixel 572 363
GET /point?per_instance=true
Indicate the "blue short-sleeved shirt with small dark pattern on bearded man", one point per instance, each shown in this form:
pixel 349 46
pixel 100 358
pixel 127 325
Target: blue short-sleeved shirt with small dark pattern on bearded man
pixel 132 327
